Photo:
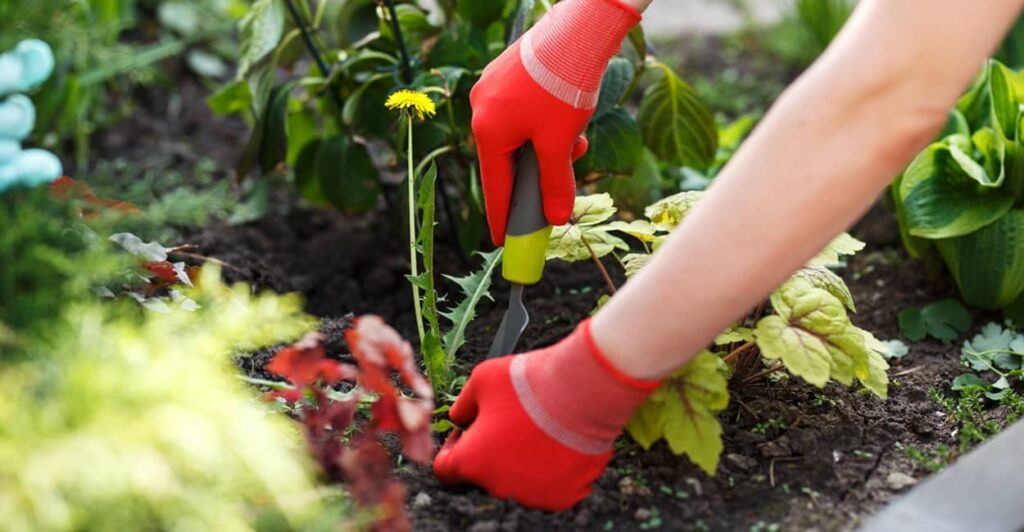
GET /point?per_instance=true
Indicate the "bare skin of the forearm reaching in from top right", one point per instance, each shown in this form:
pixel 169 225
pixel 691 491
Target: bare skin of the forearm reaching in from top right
pixel 819 160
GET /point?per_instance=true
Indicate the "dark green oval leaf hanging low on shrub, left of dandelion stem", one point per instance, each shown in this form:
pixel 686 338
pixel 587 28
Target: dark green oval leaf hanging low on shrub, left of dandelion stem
pixel 349 178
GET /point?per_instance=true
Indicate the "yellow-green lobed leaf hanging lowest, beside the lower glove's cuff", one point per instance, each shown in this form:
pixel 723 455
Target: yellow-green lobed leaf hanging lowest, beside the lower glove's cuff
pixel 685 412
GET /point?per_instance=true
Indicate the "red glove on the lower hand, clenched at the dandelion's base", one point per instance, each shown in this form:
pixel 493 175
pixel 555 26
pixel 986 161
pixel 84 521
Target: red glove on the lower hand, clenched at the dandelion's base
pixel 539 428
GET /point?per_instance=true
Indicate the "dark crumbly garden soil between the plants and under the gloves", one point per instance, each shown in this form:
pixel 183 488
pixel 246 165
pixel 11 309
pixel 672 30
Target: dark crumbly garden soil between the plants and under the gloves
pixel 796 457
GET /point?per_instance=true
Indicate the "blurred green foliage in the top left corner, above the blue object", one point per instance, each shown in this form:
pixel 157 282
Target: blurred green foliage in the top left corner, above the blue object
pixel 105 49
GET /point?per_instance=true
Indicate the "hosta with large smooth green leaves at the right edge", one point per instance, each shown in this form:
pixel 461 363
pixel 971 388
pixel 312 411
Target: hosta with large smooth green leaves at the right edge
pixel 961 196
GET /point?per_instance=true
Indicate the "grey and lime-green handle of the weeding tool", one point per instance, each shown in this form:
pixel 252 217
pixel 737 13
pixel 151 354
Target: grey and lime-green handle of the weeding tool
pixel 528 231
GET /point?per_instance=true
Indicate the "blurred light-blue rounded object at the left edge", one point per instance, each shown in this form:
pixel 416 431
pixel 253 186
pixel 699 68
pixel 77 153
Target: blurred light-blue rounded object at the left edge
pixel 25 68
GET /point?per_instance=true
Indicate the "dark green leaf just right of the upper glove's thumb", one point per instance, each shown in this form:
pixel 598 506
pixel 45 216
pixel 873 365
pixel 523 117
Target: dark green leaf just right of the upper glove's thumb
pixel 616 146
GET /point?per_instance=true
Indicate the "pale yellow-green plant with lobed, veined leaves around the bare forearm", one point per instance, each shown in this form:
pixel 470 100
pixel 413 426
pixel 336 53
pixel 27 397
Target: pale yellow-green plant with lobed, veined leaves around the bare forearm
pixel 804 329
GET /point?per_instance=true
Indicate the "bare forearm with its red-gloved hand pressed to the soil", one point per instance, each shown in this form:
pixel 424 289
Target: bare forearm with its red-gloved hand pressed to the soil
pixel 816 163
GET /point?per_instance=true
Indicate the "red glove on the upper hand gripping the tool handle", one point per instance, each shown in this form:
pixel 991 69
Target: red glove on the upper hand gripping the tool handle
pixel 543 90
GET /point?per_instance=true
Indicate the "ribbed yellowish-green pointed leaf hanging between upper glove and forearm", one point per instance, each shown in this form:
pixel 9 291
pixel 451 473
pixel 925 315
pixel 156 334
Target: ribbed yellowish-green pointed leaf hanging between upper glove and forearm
pixel 676 125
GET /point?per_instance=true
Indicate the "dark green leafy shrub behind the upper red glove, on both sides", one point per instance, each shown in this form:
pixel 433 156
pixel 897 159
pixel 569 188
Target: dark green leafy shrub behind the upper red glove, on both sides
pixel 324 125
